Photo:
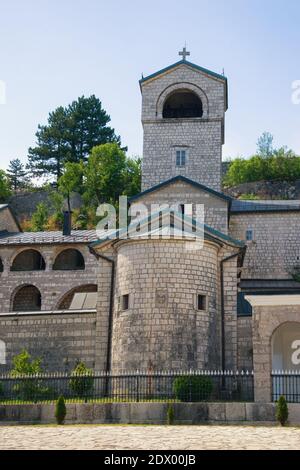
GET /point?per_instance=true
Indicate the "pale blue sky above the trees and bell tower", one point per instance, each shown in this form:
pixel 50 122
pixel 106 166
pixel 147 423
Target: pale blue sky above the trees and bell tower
pixel 52 52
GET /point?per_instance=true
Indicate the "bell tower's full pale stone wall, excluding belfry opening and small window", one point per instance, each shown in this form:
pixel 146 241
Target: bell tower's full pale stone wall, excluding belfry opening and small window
pixel 202 137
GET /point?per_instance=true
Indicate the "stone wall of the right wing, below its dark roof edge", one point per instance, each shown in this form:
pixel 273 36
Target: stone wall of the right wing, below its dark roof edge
pixel 275 249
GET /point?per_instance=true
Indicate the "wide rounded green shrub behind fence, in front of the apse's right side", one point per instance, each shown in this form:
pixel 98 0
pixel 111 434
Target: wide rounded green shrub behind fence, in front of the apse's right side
pixel 192 388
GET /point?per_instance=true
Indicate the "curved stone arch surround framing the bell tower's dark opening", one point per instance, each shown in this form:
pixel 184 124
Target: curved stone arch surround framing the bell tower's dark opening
pixel 186 88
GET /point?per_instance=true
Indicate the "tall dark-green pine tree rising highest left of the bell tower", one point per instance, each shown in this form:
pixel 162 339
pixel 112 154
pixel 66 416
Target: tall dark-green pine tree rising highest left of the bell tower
pixel 69 136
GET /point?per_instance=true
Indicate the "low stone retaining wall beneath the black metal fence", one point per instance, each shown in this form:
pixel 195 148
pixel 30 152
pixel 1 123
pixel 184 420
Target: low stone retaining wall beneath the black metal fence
pixel 147 413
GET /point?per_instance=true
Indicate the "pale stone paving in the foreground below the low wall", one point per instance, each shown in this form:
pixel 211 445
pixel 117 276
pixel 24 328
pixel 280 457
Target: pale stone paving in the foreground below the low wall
pixel 96 437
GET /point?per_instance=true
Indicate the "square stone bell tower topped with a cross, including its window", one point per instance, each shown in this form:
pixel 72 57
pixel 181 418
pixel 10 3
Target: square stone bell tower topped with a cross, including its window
pixel 183 110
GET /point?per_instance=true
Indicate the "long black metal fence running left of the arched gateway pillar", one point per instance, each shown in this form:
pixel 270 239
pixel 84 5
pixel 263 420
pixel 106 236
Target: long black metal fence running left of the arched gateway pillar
pixel 166 386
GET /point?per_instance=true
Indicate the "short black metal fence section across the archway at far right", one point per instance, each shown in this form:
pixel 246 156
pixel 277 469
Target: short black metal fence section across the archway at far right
pixel 286 383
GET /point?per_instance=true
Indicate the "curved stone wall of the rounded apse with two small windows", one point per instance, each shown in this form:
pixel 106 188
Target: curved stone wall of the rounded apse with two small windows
pixel 162 327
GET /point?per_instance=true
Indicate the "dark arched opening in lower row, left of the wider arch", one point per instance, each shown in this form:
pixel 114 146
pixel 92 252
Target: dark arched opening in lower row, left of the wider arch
pixel 26 298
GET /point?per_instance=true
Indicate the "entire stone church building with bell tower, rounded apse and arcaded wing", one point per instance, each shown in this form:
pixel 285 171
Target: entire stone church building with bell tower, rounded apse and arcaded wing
pixel 150 302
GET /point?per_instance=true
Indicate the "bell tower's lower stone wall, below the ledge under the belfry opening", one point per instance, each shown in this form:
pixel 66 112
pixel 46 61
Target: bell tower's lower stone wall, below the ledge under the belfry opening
pixel 202 141
